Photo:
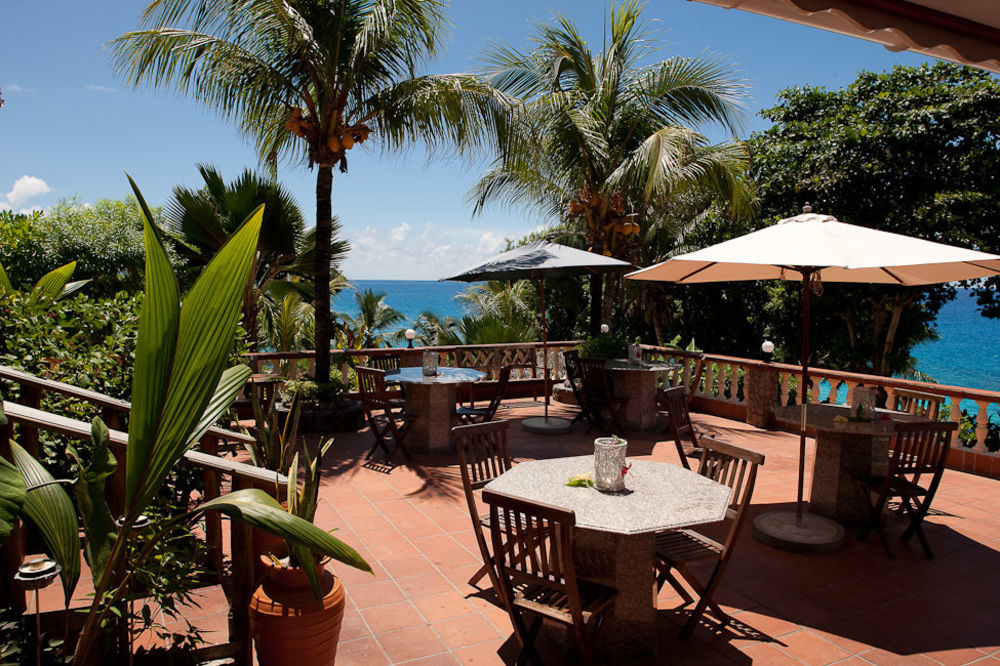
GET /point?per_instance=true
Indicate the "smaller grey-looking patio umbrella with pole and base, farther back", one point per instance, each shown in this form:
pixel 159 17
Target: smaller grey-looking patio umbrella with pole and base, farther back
pixel 537 261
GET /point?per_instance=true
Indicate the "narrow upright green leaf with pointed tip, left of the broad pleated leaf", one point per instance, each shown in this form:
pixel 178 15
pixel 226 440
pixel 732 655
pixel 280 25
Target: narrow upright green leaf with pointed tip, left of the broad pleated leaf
pixel 153 354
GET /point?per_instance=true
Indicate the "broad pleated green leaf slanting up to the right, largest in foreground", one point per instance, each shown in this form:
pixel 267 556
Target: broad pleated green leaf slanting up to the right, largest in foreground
pixel 205 330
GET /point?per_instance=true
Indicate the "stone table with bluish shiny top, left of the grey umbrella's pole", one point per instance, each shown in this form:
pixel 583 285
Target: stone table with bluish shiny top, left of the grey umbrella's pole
pixel 431 400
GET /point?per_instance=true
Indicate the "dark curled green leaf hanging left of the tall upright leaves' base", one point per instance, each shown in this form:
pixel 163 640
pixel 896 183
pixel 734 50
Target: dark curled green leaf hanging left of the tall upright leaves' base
pixel 98 523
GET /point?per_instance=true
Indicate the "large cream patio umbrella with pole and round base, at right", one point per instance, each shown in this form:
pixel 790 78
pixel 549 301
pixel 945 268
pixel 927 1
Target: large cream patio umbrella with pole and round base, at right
pixel 818 248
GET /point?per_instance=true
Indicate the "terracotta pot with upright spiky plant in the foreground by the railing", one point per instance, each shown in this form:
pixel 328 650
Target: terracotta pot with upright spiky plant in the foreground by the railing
pixel 297 611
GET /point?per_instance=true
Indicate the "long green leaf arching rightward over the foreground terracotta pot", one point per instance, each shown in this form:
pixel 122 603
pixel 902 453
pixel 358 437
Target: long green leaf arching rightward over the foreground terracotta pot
pixel 260 510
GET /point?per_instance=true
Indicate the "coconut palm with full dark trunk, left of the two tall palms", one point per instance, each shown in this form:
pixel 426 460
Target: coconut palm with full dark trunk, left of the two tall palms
pixel 310 79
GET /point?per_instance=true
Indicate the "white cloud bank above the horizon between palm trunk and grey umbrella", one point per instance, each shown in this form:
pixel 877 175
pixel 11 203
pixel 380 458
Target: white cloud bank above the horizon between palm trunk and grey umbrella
pixel 428 252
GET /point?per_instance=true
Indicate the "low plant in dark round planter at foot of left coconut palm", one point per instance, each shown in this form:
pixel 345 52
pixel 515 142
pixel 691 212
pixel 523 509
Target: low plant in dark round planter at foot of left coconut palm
pixel 324 407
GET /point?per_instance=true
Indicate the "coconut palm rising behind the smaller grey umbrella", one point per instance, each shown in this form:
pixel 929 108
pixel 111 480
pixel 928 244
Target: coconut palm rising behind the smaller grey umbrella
pixel 604 141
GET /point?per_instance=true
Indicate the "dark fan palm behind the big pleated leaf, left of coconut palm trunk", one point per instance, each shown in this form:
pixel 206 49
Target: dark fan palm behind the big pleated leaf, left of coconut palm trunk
pixel 200 221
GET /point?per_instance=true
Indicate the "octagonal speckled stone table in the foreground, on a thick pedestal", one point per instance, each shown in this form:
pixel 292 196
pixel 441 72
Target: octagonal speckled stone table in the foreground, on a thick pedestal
pixel 615 535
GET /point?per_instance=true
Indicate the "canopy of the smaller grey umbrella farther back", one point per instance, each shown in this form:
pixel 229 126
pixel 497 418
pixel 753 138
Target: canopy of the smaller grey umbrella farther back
pixel 540 259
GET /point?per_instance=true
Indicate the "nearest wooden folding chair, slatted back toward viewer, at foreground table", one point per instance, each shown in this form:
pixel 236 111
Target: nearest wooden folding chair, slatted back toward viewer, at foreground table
pixel 533 551
